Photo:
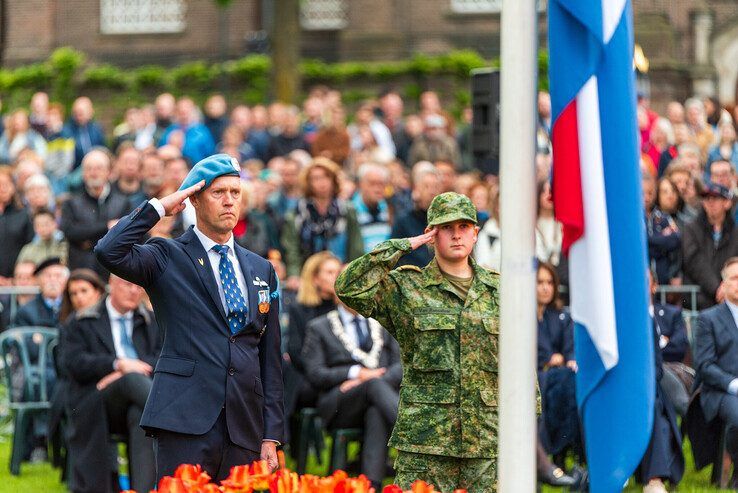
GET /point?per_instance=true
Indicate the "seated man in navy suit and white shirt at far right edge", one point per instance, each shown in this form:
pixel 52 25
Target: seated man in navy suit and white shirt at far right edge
pixel 716 359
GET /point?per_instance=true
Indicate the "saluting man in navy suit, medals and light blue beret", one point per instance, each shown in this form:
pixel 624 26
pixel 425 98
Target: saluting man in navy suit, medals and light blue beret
pixel 217 397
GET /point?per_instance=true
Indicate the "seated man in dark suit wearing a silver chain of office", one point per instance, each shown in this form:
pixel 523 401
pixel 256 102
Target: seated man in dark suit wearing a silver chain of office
pixel 355 365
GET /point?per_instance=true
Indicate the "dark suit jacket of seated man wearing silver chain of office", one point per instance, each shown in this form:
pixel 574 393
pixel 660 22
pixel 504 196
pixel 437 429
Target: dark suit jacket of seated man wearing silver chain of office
pixel 327 362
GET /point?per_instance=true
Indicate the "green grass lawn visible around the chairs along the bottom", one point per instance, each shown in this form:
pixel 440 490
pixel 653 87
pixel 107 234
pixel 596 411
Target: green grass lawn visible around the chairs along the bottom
pixel 43 478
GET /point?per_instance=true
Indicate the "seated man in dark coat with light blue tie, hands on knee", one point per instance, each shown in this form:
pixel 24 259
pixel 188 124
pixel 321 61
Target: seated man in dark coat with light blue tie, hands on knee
pixel 109 351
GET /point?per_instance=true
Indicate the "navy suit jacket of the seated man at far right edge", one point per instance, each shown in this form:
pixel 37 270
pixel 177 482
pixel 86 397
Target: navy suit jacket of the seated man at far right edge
pixel 715 356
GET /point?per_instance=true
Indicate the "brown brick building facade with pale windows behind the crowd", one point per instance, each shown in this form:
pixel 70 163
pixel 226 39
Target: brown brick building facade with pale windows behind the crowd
pixel 692 45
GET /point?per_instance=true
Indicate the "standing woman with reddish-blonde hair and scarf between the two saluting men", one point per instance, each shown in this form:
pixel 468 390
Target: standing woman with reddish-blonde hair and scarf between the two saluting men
pixel 320 221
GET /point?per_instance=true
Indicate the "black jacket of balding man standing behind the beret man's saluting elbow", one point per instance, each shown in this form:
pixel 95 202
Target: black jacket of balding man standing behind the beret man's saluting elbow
pixel 84 220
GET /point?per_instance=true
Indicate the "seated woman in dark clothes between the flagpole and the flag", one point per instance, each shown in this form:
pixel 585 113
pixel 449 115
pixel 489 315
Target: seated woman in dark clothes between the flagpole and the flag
pixel 559 428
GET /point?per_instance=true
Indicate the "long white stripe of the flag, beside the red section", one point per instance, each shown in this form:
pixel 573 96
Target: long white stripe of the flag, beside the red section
pixel 592 297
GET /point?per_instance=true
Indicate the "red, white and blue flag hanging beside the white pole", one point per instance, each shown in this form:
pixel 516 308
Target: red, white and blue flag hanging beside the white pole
pixel 597 198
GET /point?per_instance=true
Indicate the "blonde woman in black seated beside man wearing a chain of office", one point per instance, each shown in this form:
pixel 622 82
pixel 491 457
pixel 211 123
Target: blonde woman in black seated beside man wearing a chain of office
pixel 315 297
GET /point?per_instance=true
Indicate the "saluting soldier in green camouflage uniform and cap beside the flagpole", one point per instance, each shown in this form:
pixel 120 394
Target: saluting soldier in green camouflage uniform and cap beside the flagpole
pixel 445 317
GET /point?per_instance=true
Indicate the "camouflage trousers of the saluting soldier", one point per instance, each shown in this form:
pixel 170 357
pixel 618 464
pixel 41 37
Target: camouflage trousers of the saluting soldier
pixel 446 473
